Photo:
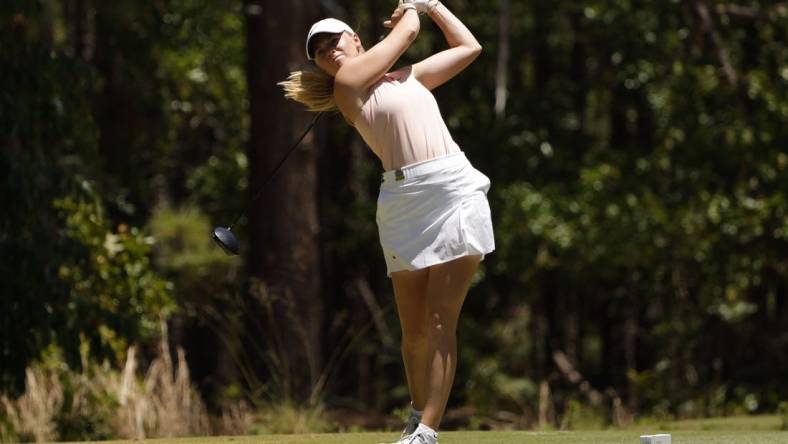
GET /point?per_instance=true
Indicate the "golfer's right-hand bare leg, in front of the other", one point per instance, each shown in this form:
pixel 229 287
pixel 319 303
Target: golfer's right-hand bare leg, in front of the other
pixel 446 289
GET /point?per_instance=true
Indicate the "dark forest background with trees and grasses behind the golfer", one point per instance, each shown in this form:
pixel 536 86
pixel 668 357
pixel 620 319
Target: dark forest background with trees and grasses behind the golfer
pixel 637 151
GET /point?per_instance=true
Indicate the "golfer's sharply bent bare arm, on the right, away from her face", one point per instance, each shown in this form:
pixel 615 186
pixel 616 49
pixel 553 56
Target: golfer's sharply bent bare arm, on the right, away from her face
pixel 463 49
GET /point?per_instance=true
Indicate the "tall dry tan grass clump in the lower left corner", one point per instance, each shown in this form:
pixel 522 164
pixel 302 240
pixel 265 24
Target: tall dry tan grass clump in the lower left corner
pixel 99 402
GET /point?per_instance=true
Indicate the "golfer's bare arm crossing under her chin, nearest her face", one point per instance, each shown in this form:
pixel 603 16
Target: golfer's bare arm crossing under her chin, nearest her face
pixel 359 73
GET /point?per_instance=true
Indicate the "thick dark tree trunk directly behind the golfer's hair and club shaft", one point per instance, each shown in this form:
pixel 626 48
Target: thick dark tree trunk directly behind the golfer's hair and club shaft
pixel 284 255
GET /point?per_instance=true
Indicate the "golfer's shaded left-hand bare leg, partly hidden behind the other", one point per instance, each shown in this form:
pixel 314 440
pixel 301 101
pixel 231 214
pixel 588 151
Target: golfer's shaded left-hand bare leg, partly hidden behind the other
pixel 410 288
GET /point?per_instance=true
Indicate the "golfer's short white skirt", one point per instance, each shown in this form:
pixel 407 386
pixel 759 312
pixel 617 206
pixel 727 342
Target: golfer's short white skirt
pixel 432 212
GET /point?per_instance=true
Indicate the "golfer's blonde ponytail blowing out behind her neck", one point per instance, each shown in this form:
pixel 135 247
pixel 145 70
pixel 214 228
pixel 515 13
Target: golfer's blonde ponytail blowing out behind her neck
pixel 311 87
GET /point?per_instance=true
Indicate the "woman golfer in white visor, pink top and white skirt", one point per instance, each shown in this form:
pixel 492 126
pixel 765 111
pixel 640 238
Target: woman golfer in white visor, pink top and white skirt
pixel 433 216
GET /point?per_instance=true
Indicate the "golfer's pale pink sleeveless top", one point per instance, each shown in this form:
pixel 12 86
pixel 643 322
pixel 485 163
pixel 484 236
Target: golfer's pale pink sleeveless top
pixel 401 122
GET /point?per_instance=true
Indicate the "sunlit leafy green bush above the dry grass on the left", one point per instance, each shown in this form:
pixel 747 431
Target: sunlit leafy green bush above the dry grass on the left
pixel 115 297
